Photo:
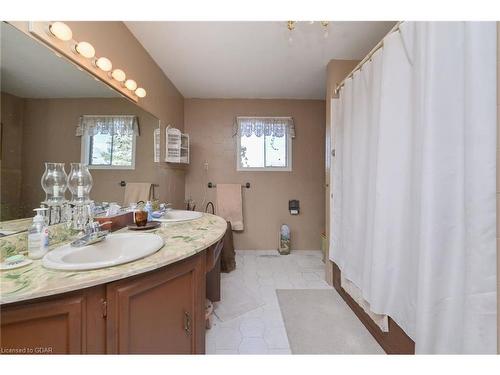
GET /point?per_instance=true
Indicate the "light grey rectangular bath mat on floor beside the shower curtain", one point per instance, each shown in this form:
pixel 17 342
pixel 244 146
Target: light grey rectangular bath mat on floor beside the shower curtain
pixel 318 321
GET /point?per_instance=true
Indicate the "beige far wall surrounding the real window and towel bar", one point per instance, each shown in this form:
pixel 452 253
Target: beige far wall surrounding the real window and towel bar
pixel 265 205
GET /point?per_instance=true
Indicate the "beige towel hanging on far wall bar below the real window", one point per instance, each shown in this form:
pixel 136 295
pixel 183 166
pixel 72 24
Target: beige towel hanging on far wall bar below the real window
pixel 229 204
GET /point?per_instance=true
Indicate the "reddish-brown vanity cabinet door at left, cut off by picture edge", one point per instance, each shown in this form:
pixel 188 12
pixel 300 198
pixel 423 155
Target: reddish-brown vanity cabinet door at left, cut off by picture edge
pixel 69 324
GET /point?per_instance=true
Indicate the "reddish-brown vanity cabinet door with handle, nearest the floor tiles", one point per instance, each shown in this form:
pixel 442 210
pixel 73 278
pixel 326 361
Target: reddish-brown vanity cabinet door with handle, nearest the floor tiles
pixel 160 312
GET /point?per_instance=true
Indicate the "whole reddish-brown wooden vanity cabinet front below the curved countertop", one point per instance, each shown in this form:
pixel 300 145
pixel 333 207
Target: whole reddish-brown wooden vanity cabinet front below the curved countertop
pixel 162 311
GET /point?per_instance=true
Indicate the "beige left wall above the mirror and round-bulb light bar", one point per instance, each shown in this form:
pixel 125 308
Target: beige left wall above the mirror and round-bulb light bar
pixel 113 40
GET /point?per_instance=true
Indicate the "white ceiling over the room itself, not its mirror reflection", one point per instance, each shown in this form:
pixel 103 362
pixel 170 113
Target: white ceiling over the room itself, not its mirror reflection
pixel 253 59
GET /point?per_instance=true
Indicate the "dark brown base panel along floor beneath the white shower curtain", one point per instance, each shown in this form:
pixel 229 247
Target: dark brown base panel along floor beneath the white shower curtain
pixel 396 341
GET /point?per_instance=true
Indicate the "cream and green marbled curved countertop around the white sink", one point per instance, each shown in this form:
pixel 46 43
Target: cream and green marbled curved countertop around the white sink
pixel 182 240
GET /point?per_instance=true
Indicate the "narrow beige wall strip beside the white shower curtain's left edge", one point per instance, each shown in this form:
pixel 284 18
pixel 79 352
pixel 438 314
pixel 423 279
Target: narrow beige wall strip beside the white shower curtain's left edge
pixel 336 71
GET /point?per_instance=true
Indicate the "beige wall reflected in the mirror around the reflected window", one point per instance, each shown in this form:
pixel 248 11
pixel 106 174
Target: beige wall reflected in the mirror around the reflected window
pixel 49 135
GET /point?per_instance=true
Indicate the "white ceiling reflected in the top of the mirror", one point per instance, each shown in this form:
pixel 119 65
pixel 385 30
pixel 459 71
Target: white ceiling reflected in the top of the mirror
pixel 31 70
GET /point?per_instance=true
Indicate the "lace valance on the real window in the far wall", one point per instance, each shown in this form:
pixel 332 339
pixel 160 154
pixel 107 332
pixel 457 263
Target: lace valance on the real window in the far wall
pixel 268 126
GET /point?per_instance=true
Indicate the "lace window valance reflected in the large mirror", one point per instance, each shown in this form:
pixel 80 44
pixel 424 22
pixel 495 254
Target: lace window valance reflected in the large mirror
pixel 108 124
